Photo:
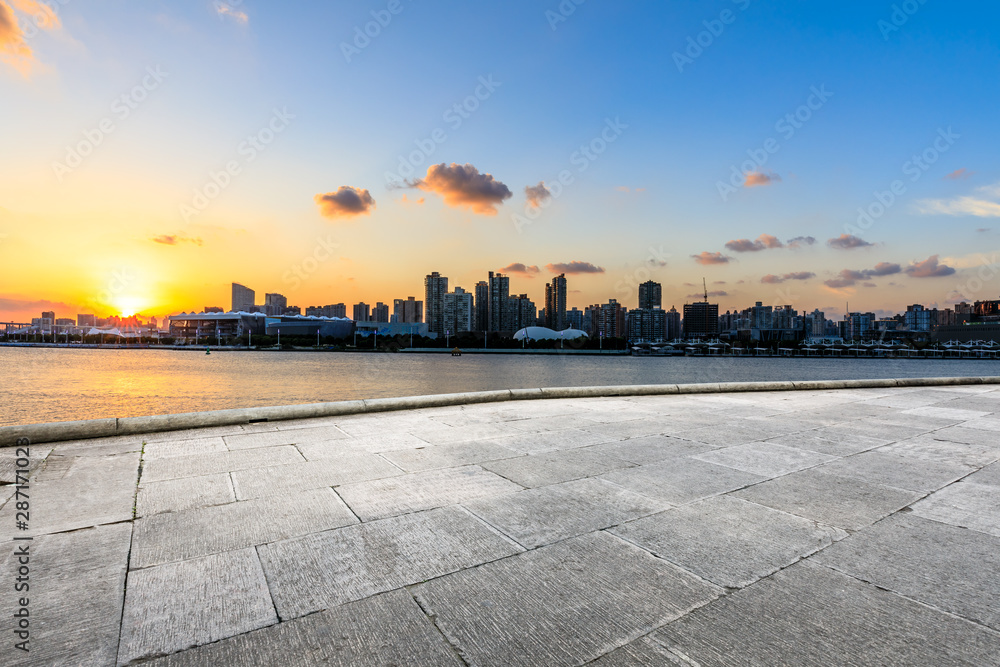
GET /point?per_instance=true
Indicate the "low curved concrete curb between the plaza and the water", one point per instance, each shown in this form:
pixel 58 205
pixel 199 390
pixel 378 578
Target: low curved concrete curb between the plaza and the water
pixel 102 428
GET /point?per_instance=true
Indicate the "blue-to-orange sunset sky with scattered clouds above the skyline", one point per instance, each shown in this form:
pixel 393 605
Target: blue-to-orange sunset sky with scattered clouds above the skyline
pixel 812 154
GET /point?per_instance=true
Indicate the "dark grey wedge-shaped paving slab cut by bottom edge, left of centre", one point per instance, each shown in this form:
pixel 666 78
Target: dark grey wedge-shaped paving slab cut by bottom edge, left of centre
pixel 387 629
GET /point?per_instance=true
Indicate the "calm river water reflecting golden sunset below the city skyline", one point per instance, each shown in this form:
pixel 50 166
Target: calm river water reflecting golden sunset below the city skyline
pixel 49 384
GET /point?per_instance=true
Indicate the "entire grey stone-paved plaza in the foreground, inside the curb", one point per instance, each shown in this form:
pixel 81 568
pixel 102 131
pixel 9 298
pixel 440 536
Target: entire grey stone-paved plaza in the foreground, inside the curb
pixel 845 527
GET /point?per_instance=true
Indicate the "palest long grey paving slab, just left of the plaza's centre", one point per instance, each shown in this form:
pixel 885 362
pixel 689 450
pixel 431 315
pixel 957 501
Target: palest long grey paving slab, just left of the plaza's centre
pixel 414 492
